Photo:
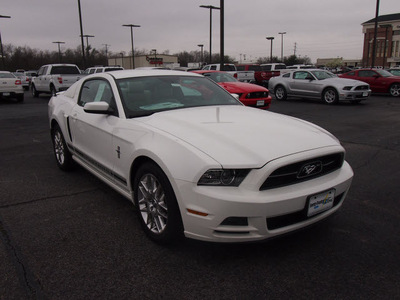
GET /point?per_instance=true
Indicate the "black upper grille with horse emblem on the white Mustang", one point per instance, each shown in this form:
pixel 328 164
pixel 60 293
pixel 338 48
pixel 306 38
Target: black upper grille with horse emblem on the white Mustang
pixel 303 170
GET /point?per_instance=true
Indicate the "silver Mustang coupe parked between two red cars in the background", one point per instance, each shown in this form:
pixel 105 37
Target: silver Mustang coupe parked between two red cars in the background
pixel 320 84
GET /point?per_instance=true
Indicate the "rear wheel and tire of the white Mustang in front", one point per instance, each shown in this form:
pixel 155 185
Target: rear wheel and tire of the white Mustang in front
pixel 61 152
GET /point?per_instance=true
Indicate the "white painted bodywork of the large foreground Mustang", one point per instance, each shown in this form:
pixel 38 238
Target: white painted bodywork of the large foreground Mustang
pixel 187 142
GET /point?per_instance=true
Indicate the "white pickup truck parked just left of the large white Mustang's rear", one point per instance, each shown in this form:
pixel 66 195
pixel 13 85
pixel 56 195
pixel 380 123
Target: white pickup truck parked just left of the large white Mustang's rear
pixel 55 78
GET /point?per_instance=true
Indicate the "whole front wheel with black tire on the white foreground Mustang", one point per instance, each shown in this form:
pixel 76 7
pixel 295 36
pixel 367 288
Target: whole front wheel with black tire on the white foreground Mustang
pixel 156 204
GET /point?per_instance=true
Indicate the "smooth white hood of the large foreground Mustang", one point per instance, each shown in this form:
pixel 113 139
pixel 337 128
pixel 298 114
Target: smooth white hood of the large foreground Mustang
pixel 238 136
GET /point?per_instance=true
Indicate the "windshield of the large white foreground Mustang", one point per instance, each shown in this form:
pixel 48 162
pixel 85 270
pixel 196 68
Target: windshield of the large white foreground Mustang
pixel 143 96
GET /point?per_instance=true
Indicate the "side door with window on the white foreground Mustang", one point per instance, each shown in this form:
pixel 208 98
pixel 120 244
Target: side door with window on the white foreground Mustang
pixel 92 134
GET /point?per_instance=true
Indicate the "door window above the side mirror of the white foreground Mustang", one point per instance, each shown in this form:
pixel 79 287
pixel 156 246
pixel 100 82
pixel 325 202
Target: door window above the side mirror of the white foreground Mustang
pixel 96 90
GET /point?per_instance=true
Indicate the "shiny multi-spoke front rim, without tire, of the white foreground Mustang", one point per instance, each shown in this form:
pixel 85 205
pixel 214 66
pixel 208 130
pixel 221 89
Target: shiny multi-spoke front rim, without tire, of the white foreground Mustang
pixel 152 205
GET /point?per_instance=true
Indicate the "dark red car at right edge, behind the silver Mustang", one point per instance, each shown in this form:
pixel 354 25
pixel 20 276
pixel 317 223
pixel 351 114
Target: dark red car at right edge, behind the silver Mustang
pixel 380 81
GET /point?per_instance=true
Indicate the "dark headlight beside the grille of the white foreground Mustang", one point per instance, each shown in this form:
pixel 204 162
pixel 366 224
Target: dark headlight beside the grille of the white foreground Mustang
pixel 223 177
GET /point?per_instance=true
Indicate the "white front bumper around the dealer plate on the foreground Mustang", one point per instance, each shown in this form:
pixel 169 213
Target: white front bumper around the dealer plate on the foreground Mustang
pixel 246 214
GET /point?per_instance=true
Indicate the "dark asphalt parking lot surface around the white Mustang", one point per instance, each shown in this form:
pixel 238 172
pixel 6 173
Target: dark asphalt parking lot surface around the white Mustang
pixel 68 236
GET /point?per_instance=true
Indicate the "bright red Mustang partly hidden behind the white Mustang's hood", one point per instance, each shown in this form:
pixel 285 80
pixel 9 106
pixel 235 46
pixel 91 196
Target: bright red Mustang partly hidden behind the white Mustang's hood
pixel 249 94
